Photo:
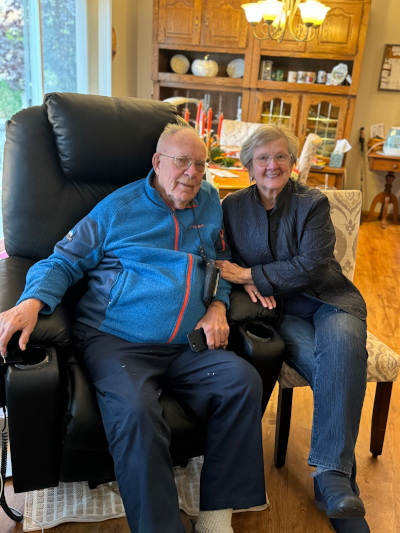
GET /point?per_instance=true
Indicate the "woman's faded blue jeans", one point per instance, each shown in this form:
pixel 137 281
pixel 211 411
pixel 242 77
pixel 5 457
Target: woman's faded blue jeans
pixel 329 352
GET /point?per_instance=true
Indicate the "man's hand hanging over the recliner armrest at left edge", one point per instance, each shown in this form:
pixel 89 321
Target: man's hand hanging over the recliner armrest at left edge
pixel 23 318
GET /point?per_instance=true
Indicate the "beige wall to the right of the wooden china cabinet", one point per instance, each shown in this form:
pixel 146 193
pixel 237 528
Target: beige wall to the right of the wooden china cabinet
pixel 374 106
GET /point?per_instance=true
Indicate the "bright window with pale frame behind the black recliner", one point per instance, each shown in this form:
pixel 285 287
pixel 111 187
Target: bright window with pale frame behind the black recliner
pixel 45 46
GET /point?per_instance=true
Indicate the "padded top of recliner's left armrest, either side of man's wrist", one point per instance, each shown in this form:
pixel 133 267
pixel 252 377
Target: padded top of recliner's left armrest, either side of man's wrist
pixel 54 328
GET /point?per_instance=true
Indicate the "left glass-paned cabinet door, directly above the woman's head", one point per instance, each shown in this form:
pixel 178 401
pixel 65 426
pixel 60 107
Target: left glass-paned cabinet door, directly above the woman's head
pixel 271 107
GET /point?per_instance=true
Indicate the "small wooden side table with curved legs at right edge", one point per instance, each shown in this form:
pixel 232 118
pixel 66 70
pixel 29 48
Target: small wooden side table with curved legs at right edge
pixel 390 164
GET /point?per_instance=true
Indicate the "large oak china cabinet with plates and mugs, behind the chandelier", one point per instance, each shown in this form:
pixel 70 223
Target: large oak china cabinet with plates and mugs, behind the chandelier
pixel 219 28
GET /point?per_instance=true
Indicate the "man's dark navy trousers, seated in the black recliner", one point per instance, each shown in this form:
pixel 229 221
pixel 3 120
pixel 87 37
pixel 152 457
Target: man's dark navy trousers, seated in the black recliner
pixel 221 388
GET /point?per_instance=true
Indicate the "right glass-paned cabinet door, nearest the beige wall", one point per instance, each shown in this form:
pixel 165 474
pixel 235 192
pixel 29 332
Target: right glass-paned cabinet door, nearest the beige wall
pixel 324 117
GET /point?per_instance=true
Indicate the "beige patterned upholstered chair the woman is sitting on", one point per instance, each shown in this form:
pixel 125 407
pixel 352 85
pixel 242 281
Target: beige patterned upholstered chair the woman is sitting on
pixel 383 363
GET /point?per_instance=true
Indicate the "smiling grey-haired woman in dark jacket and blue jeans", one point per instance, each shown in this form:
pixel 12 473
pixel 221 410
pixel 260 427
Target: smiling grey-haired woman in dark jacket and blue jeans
pixel 282 242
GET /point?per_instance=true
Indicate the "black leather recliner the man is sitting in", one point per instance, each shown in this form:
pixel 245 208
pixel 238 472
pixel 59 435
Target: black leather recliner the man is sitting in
pixel 61 159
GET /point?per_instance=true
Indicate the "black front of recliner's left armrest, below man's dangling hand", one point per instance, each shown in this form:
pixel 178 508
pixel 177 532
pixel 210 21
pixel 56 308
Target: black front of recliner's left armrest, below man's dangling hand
pixel 34 403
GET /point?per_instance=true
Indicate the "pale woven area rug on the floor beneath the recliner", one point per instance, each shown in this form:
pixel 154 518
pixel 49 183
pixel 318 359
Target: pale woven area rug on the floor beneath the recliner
pixel 75 502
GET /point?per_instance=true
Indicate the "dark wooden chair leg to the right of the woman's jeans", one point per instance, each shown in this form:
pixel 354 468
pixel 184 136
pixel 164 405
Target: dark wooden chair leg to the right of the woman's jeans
pixel 379 416
